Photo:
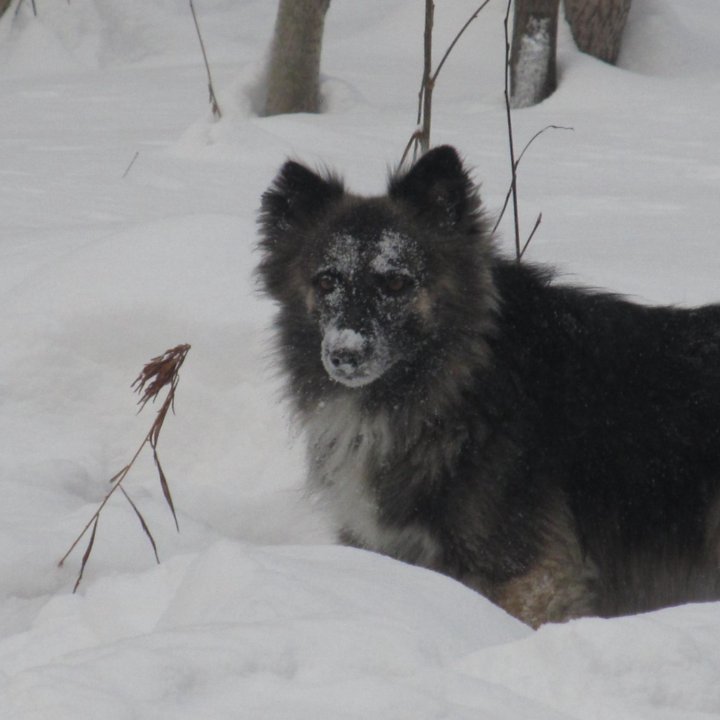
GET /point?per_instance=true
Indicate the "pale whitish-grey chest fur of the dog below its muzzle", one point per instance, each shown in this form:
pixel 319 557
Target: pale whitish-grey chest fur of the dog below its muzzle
pixel 347 450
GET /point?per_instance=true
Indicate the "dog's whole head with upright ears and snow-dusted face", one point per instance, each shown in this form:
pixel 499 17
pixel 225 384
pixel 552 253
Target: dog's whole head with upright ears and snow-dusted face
pixel 369 279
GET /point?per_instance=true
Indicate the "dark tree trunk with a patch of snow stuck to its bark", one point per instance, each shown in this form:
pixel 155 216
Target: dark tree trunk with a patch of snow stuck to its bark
pixel 533 76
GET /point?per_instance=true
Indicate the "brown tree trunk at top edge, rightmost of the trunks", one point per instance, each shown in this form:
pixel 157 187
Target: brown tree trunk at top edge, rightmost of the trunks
pixel 597 26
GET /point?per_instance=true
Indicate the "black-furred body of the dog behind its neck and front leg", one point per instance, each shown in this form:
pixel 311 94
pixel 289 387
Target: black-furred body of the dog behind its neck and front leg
pixel 626 405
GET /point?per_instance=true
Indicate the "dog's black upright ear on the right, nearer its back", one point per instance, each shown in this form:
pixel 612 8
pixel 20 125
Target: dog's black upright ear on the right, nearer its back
pixel 437 187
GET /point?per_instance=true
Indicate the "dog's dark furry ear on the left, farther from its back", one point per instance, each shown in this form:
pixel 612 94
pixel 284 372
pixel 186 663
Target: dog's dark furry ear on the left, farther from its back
pixel 296 195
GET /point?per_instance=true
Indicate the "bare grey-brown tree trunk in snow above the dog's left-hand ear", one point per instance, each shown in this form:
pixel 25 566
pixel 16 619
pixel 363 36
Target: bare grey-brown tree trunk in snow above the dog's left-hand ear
pixel 293 74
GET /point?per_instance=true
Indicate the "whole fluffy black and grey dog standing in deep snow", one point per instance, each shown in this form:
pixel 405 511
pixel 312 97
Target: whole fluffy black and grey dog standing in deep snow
pixel 555 448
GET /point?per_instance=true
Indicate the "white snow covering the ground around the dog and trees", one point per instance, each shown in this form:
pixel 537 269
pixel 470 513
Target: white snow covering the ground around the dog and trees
pixel 253 611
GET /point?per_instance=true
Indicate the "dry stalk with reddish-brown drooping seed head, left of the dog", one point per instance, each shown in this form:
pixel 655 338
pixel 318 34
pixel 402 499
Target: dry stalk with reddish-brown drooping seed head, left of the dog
pixel 160 373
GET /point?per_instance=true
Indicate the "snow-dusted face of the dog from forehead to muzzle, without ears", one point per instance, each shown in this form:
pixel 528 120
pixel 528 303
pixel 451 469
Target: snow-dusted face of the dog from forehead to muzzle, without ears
pixel 365 287
